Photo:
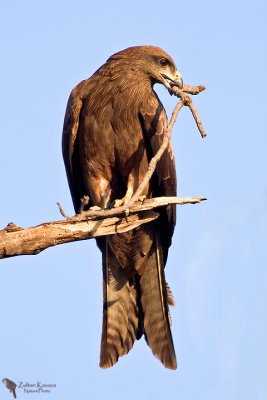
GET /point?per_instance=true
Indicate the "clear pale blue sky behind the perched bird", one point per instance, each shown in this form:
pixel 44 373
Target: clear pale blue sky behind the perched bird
pixel 51 304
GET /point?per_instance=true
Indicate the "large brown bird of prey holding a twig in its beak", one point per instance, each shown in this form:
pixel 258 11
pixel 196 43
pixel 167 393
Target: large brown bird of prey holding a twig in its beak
pixel 113 126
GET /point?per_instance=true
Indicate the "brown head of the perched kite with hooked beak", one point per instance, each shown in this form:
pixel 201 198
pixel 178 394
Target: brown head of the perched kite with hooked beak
pixel 151 62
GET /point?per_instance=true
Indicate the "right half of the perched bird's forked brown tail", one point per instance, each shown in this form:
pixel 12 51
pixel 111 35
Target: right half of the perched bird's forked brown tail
pixel 154 297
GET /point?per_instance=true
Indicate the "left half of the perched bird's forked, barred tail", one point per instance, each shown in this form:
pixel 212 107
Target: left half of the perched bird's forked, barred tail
pixel 120 314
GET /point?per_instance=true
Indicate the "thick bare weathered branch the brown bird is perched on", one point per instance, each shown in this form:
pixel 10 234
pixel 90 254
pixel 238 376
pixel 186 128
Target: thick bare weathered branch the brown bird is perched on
pixel 15 240
